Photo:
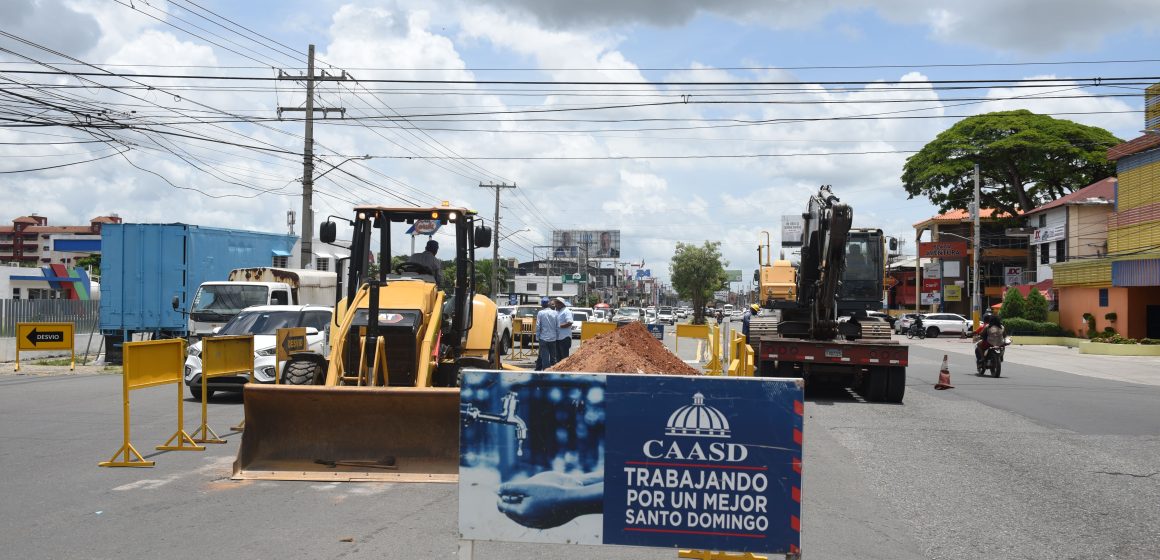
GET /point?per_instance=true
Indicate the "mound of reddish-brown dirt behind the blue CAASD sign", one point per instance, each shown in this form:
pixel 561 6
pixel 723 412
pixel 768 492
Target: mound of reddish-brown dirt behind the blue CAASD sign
pixel 629 350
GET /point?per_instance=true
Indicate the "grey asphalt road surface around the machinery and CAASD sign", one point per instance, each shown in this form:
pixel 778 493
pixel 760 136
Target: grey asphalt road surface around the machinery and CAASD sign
pixel 1036 464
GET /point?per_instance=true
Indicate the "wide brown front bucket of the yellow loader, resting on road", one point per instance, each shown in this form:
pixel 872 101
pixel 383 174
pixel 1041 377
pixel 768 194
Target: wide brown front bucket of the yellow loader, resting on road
pixel 347 434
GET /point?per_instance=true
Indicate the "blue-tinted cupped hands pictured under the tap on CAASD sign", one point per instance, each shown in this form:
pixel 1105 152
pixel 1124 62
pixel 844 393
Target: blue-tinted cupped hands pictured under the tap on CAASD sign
pixel 553 499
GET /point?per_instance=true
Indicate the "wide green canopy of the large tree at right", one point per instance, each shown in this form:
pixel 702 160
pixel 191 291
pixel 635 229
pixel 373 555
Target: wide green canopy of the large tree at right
pixel 1025 161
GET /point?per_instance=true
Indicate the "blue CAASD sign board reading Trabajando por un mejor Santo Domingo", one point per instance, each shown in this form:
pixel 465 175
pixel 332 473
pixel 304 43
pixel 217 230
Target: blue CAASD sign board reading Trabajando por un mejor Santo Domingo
pixel 632 460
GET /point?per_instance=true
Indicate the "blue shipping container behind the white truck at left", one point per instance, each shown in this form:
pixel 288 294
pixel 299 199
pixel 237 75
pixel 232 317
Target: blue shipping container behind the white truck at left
pixel 144 266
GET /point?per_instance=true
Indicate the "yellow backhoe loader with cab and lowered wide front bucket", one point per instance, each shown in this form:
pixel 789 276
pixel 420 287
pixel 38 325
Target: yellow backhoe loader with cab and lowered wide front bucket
pixel 385 404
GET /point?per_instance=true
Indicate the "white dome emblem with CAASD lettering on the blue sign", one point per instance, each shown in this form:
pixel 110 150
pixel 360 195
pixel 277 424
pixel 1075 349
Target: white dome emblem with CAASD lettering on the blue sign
pixel 701 421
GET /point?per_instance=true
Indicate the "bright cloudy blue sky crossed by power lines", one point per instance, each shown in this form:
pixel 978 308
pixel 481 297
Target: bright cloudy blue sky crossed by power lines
pixel 671 121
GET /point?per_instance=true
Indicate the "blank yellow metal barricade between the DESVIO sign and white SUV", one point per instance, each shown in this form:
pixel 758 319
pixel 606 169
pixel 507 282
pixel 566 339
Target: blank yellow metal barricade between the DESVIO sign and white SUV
pixel 149 365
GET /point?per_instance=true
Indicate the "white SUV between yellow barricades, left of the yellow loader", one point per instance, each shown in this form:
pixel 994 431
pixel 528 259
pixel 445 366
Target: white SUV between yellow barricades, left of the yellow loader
pixel 263 322
